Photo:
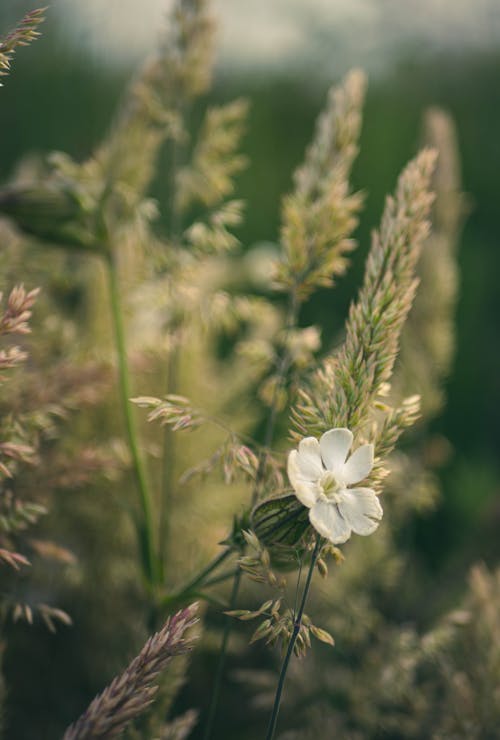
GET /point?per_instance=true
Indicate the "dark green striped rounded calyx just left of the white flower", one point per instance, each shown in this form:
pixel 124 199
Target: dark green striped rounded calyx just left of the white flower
pixel 281 520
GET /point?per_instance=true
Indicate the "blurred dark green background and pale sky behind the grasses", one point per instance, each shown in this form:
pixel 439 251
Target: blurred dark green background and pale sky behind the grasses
pixel 283 55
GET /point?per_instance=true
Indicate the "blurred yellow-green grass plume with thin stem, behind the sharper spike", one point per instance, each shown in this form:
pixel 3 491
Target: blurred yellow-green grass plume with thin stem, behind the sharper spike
pixel 321 181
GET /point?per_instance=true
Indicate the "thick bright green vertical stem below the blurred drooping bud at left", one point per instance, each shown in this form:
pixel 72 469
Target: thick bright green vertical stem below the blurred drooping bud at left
pixel 145 527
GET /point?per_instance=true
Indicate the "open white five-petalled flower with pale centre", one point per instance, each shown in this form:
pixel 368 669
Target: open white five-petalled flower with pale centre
pixel 321 474
